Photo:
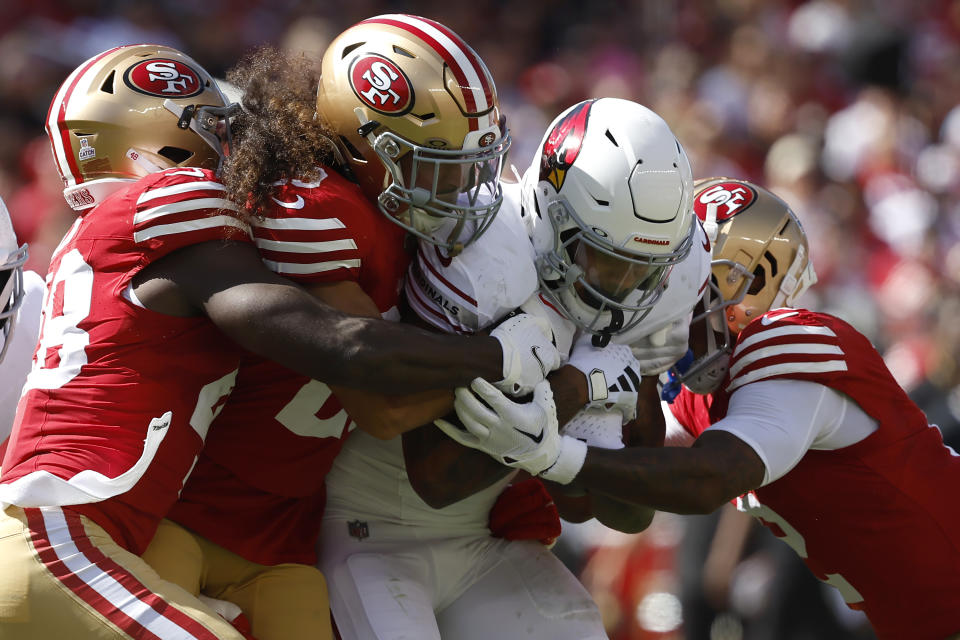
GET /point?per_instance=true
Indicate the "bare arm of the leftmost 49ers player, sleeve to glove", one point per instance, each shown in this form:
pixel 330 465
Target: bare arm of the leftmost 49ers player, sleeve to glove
pixel 276 319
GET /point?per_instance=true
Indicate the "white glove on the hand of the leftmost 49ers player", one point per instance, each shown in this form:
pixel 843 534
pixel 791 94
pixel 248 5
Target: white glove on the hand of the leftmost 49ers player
pixel 529 352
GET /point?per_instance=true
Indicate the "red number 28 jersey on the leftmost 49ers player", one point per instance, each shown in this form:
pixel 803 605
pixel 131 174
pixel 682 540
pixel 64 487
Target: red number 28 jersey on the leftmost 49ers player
pixel 120 398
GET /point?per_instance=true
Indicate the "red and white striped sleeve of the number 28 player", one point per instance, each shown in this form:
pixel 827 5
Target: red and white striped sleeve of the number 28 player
pixel 182 207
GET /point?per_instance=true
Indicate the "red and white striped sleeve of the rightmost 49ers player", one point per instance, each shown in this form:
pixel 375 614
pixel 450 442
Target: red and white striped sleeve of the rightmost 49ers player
pixel 786 343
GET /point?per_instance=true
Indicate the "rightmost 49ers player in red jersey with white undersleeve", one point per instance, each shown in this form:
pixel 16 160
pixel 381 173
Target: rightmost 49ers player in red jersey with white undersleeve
pixel 800 422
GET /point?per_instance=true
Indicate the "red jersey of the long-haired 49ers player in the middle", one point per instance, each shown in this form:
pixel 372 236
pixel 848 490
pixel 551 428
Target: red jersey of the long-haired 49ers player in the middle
pixel 258 489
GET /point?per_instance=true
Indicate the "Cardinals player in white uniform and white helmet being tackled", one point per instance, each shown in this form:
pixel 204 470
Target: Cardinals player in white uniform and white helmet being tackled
pixel 405 541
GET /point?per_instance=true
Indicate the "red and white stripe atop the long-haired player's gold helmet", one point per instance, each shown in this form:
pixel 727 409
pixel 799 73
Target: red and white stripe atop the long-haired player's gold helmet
pixel 461 59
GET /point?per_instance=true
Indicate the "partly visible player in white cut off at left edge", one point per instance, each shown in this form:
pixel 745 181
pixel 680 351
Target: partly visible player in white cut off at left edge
pixel 20 295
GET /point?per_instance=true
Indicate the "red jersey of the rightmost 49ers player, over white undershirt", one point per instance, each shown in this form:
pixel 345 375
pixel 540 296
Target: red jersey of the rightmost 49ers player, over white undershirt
pixel 875 519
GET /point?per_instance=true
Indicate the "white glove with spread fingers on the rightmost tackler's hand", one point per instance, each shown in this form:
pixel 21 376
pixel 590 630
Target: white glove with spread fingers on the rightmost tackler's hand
pixel 523 435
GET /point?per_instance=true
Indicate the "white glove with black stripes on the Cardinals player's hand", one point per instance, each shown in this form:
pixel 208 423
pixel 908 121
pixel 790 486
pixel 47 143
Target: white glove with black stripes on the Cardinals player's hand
pixel 613 375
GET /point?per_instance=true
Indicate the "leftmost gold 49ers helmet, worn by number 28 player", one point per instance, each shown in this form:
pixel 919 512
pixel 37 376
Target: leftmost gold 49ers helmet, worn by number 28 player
pixel 131 111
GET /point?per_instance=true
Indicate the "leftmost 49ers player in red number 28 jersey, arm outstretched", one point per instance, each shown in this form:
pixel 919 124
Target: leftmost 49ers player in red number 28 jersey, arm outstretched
pixel 150 297
